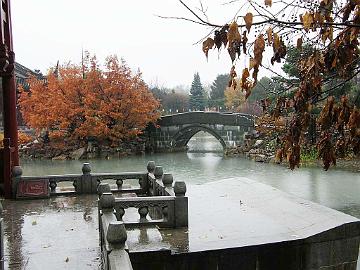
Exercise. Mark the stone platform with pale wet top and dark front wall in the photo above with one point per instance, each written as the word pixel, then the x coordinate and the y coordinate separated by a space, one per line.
pixel 242 224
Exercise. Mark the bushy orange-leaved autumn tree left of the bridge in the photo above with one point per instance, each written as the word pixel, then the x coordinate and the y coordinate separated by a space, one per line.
pixel 79 102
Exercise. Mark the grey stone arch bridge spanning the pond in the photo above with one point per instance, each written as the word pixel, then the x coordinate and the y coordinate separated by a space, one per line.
pixel 173 132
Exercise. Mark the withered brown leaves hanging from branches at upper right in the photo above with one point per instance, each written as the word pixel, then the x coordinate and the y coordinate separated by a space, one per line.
pixel 332 30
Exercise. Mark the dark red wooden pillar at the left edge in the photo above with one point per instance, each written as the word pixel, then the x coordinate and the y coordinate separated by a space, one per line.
pixel 7 64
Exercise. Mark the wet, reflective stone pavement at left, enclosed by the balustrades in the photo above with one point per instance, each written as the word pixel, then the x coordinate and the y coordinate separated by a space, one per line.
pixel 55 233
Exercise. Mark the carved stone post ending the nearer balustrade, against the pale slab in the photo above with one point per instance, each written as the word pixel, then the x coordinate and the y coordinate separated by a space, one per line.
pixel 181 205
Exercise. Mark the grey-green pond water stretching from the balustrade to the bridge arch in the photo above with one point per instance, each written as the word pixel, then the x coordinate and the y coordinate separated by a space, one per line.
pixel 336 188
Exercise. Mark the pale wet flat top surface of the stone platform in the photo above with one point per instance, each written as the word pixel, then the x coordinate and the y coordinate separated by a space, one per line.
pixel 240 212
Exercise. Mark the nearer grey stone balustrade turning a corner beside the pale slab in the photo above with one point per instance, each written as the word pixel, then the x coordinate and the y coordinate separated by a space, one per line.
pixel 166 207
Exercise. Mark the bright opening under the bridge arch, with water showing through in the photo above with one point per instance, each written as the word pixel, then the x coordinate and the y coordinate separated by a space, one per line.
pixel 204 142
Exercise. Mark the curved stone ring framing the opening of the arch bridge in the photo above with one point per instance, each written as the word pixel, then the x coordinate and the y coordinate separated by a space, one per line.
pixel 183 137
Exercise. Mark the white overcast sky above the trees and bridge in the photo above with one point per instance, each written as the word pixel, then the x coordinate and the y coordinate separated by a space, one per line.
pixel 47 30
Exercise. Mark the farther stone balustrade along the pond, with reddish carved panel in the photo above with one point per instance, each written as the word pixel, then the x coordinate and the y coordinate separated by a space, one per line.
pixel 154 182
